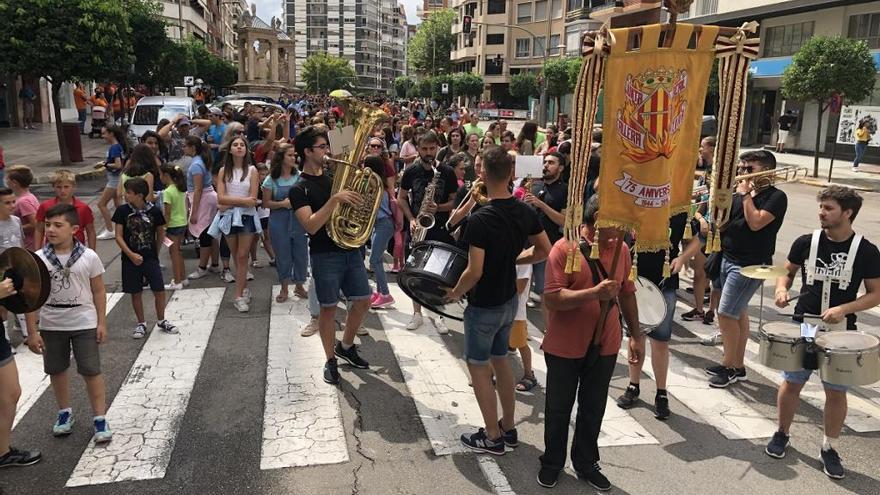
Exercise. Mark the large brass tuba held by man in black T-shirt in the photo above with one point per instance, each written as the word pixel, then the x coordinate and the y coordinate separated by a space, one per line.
pixel 350 226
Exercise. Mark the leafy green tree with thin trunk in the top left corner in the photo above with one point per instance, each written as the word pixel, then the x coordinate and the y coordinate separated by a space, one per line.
pixel 63 40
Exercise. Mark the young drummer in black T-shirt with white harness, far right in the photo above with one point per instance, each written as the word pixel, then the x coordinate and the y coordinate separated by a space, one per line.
pixel 833 263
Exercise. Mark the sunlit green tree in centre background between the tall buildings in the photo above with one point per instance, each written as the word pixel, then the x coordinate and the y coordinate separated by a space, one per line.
pixel 429 50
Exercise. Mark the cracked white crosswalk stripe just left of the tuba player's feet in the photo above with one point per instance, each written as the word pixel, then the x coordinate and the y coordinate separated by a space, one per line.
pixel 302 421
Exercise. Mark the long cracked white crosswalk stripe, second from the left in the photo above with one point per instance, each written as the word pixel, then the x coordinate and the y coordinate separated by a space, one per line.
pixel 147 412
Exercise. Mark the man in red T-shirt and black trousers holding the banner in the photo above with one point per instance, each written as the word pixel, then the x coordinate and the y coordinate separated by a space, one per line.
pixel 574 366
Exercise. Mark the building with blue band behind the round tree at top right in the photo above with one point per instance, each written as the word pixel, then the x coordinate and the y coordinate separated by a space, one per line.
pixel 784 27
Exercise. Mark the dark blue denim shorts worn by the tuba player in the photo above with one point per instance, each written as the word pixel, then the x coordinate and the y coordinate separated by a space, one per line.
pixel 340 270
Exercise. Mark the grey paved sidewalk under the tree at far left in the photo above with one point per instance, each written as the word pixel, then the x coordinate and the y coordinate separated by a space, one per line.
pixel 38 149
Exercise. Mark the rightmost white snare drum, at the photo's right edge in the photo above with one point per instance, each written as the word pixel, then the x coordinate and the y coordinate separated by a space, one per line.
pixel 849 358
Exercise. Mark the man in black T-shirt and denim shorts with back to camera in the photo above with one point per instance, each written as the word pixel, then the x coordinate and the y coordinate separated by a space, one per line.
pixel 496 235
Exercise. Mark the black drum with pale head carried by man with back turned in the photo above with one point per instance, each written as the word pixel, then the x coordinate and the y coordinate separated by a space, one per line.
pixel 430 268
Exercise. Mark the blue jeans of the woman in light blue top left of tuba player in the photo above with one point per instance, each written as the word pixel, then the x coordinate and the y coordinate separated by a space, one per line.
pixel 291 246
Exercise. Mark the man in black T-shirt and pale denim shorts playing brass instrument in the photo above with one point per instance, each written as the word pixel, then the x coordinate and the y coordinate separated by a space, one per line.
pixel 749 238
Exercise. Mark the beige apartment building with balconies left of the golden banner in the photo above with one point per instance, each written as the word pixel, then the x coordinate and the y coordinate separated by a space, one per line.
pixel 506 38
